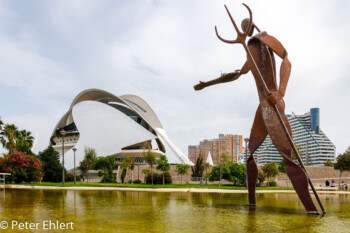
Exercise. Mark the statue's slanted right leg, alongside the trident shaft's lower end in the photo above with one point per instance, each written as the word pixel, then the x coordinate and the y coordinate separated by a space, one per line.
pixel 295 173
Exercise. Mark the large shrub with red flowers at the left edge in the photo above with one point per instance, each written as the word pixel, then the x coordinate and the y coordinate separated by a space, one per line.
pixel 23 167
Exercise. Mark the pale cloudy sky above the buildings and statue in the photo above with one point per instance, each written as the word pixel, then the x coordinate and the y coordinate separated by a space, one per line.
pixel 52 50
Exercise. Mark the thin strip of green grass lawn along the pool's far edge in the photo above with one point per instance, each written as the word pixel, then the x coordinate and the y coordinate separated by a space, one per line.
pixel 210 186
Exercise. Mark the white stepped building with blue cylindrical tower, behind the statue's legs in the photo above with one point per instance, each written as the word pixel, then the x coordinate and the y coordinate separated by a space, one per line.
pixel 314 146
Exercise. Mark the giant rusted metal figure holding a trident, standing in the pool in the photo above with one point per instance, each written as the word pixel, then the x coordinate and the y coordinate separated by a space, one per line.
pixel 269 118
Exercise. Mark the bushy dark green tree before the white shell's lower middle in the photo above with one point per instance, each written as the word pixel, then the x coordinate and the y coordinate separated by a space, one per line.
pixel 106 164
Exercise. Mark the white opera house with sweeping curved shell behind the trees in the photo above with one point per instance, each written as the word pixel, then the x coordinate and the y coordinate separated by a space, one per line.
pixel 121 126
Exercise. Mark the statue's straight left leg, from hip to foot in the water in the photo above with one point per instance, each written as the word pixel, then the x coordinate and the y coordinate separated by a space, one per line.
pixel 257 136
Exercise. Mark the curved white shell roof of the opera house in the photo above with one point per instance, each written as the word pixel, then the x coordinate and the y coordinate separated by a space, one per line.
pixel 107 129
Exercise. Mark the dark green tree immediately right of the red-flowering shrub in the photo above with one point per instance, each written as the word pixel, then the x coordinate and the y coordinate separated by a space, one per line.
pixel 52 167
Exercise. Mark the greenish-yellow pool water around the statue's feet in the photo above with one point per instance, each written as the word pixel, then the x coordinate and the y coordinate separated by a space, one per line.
pixel 120 211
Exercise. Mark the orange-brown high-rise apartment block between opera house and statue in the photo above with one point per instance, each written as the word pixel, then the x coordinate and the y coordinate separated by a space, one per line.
pixel 228 144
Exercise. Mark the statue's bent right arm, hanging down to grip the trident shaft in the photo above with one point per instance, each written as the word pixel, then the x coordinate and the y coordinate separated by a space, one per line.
pixel 278 48
